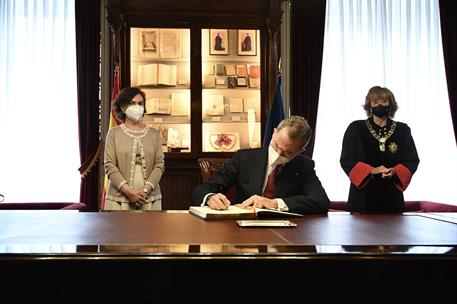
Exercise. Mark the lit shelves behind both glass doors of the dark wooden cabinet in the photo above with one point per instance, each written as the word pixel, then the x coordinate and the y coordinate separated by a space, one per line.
pixel 231 80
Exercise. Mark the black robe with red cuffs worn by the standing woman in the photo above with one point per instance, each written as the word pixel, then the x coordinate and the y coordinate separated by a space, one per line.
pixel 360 154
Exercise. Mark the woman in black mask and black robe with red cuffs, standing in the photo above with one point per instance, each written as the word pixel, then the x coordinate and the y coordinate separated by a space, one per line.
pixel 379 156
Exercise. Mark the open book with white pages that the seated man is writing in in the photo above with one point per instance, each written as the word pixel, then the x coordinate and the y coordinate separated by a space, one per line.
pixel 237 213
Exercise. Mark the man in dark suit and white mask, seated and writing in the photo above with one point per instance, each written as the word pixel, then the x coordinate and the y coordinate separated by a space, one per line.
pixel 278 177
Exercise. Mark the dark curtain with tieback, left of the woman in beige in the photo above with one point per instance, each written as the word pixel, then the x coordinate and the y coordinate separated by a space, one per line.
pixel 87 15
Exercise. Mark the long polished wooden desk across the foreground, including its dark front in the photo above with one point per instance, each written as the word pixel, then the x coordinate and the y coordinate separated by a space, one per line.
pixel 174 257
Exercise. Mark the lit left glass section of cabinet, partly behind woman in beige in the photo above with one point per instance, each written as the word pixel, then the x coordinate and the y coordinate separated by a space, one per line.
pixel 160 66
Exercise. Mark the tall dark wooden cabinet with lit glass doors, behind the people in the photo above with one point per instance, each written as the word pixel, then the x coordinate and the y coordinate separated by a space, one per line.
pixel 208 69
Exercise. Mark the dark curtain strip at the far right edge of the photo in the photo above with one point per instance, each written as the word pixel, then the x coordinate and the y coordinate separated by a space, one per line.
pixel 448 14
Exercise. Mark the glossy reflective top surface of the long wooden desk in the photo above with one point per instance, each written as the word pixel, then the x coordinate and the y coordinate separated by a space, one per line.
pixel 168 232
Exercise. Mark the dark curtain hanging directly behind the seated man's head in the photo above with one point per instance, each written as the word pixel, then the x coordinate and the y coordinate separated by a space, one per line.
pixel 307 43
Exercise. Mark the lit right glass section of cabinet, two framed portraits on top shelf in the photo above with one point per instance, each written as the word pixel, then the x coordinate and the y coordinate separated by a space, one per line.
pixel 231 96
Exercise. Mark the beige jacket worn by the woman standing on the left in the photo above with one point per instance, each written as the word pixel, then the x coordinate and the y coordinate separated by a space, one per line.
pixel 120 156
